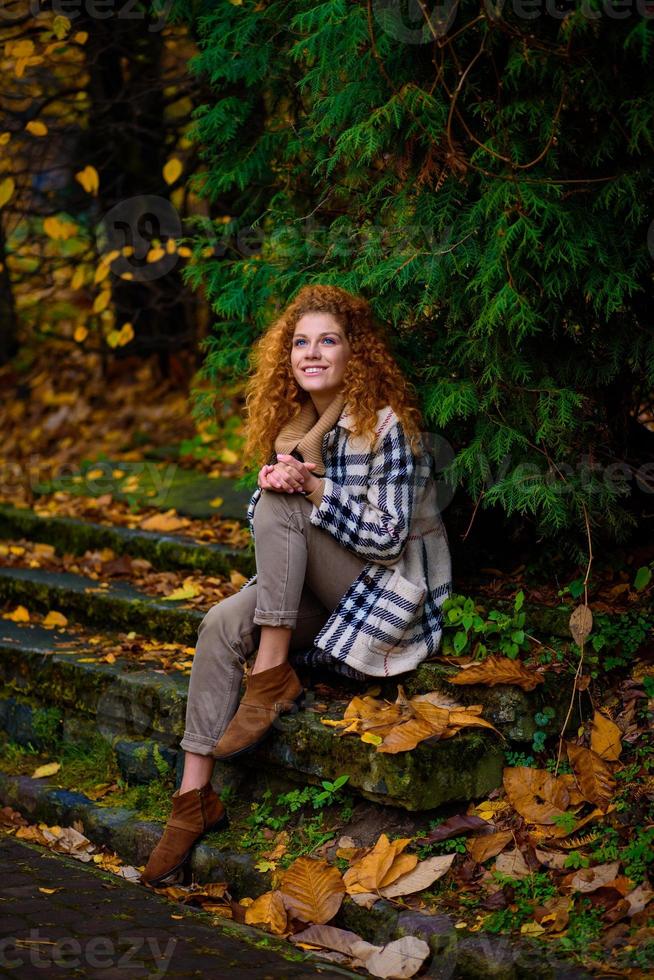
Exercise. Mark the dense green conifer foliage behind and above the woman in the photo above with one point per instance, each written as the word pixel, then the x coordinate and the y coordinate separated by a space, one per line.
pixel 483 174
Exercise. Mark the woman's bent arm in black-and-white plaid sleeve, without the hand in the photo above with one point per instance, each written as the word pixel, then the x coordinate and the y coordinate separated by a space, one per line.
pixel 376 527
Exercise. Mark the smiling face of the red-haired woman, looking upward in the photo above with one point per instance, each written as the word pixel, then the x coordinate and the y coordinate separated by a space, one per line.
pixel 319 343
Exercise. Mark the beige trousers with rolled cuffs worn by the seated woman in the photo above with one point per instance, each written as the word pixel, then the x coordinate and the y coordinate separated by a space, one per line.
pixel 302 574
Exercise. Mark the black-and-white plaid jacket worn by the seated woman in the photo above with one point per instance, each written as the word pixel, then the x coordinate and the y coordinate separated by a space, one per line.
pixel 382 505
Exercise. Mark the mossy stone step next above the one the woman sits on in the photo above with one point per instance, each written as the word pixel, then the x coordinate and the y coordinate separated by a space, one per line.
pixel 83 599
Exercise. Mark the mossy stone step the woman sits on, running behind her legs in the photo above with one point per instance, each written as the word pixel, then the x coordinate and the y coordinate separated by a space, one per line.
pixel 142 706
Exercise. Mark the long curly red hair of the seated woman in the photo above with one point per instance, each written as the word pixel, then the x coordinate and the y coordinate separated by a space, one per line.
pixel 371 381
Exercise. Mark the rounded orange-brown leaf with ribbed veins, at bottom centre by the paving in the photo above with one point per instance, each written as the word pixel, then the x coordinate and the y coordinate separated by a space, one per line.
pixel 312 890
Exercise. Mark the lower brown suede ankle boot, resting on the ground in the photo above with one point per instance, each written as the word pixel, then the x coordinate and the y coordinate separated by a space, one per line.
pixel 193 813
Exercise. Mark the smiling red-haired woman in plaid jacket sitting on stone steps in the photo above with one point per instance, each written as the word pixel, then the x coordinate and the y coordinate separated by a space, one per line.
pixel 351 553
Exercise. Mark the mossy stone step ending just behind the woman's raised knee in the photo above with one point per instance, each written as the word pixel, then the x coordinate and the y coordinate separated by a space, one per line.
pixel 166 551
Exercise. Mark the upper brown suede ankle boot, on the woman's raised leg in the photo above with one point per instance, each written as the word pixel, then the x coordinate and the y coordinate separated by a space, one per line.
pixel 268 694
